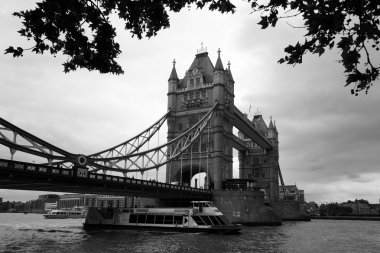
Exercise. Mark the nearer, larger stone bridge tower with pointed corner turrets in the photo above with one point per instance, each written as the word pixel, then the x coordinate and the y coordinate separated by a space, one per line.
pixel 189 99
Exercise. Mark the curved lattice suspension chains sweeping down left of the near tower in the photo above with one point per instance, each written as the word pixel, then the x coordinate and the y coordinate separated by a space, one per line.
pixel 124 157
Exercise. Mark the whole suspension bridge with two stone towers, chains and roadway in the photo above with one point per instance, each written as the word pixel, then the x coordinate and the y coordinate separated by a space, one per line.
pixel 200 119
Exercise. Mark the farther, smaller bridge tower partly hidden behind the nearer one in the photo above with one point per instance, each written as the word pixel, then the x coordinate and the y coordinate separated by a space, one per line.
pixel 262 165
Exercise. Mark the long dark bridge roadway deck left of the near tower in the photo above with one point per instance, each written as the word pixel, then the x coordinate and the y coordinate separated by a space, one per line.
pixel 28 176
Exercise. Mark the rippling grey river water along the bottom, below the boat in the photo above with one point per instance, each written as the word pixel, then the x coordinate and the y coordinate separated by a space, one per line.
pixel 33 233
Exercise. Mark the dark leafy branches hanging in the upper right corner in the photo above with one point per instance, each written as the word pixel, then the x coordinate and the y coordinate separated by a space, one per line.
pixel 352 26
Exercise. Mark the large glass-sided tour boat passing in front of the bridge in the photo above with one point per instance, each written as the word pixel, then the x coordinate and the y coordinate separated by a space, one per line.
pixel 203 216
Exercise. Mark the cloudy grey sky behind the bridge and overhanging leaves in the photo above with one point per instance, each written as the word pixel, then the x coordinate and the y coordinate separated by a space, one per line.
pixel 329 140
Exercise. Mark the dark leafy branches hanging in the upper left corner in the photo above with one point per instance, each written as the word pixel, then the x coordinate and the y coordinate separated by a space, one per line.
pixel 81 29
